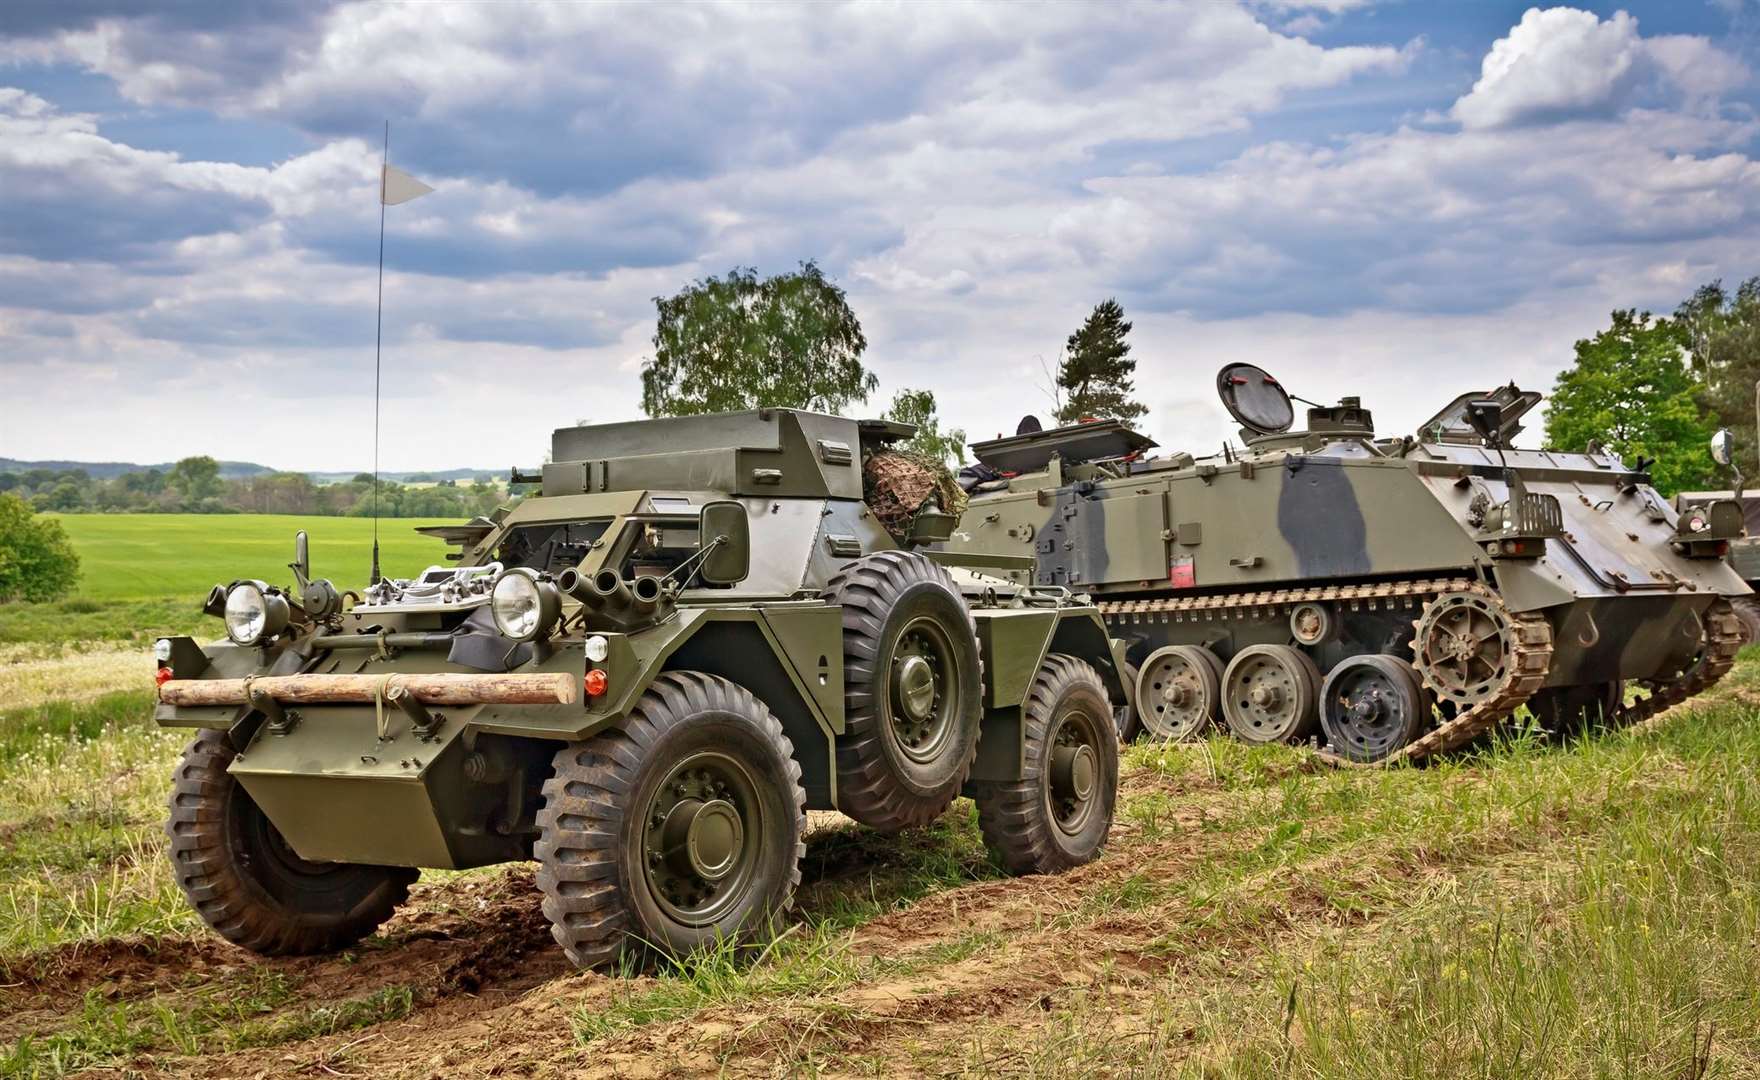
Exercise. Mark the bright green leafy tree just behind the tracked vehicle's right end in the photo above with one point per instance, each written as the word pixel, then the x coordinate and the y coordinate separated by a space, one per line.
pixel 1634 393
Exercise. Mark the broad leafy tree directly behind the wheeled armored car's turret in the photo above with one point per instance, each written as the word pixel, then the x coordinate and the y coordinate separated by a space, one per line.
pixel 742 342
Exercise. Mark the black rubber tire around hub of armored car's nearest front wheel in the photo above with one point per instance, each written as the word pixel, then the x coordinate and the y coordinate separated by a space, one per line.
pixel 589 845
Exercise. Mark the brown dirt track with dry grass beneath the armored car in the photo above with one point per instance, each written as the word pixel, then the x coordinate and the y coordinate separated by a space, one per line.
pixel 985 977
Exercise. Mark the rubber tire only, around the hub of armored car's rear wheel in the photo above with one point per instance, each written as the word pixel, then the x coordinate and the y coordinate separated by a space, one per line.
pixel 1016 817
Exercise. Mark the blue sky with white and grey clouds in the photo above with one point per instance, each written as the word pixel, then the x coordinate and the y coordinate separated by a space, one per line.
pixel 1397 200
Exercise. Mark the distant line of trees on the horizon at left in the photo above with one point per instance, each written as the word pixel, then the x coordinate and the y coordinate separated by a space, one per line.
pixel 196 486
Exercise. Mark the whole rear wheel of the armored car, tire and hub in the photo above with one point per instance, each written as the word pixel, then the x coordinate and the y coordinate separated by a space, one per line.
pixel 1059 814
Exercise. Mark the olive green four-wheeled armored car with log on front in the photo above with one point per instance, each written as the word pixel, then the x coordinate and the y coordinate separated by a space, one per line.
pixel 642 678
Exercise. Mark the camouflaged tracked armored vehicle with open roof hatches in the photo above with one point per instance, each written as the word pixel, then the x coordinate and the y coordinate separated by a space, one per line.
pixel 1388 597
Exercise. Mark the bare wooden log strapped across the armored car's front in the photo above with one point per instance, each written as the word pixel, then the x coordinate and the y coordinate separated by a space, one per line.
pixel 446 689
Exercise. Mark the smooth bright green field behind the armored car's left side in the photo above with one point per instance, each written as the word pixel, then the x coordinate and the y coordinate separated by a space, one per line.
pixel 147 574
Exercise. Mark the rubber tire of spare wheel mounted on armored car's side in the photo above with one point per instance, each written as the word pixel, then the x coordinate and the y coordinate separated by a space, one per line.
pixel 879 595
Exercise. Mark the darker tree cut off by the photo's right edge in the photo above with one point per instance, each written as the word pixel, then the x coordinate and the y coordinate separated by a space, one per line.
pixel 1722 335
